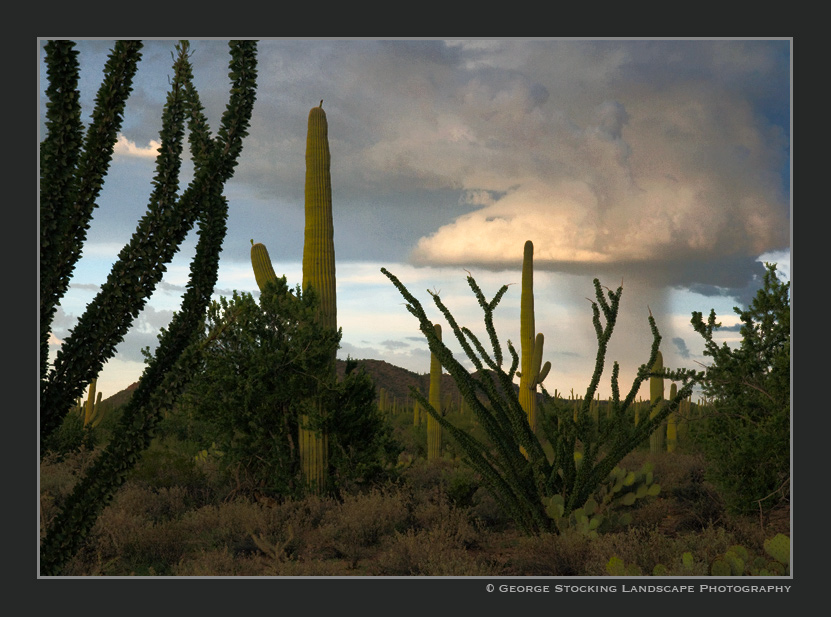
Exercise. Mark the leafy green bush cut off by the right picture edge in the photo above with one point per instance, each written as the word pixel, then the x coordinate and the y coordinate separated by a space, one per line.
pixel 746 435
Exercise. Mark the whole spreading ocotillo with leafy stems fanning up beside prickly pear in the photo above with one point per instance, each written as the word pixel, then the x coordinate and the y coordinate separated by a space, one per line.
pixel 512 461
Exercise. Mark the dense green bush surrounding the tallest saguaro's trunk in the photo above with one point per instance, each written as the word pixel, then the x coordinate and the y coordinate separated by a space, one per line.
pixel 254 383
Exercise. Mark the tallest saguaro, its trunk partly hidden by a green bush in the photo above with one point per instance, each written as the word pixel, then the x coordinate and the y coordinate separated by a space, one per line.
pixel 318 270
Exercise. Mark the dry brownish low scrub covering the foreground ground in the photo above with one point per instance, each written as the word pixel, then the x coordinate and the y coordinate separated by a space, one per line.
pixel 181 518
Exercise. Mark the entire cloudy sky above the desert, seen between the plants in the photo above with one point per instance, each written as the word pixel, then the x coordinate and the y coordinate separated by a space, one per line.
pixel 660 165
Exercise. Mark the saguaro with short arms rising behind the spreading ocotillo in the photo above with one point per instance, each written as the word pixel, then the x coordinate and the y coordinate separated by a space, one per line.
pixel 532 372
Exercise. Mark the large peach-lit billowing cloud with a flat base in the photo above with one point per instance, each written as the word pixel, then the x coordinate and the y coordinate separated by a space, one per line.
pixel 666 178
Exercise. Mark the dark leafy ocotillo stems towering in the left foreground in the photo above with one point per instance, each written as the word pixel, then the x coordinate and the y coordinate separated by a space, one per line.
pixel 72 171
